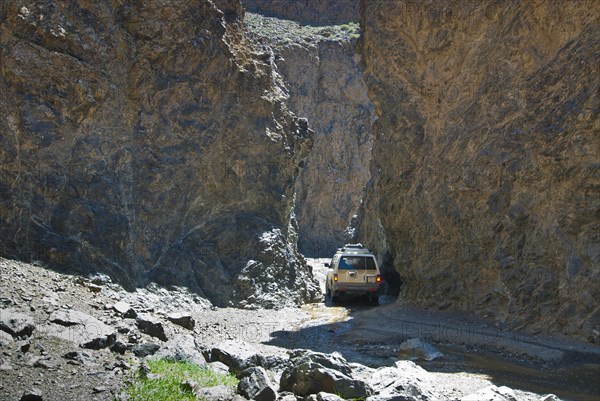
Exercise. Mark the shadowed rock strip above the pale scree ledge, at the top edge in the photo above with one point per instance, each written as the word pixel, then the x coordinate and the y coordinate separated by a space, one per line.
pixel 314 12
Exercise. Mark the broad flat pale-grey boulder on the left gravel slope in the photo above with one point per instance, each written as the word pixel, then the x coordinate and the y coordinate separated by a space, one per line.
pixel 81 328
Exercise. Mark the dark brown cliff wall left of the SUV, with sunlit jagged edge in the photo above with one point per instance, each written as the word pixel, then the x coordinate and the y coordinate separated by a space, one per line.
pixel 149 141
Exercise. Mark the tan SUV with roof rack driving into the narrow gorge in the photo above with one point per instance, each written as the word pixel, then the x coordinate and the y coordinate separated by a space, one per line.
pixel 353 270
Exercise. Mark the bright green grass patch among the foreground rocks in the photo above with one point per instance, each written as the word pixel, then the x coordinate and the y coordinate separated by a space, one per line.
pixel 165 381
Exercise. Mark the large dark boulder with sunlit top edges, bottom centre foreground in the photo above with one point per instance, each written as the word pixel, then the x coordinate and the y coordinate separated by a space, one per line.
pixel 311 372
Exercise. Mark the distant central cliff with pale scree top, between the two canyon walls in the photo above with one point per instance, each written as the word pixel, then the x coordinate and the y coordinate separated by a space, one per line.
pixel 319 67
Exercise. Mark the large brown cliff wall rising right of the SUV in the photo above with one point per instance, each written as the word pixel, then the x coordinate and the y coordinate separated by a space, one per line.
pixel 486 176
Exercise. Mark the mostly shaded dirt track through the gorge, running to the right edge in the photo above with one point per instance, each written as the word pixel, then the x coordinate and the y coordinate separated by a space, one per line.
pixel 472 347
